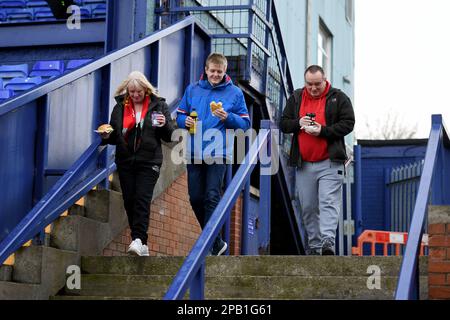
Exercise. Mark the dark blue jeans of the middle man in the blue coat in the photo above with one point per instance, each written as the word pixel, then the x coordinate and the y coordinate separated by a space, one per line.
pixel 205 190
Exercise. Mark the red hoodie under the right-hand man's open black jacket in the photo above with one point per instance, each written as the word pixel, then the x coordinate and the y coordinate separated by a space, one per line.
pixel 313 149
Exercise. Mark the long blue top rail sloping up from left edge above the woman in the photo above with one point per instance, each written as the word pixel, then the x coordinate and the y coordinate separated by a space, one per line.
pixel 19 101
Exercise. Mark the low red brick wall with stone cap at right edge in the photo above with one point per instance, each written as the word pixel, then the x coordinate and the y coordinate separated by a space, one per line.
pixel 439 256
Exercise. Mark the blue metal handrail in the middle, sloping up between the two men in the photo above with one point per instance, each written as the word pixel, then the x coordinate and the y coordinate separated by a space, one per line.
pixel 193 268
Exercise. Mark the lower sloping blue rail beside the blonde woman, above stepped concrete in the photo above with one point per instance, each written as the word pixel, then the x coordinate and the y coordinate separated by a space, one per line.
pixel 74 184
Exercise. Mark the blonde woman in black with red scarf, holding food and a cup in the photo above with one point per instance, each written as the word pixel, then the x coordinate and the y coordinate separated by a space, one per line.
pixel 140 120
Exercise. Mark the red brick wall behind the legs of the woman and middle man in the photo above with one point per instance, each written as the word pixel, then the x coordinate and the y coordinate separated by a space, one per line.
pixel 173 228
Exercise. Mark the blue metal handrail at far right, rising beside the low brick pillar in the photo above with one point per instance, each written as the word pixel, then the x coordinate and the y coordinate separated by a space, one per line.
pixel 408 283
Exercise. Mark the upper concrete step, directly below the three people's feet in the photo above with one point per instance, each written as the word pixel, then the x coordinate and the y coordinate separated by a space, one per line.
pixel 249 265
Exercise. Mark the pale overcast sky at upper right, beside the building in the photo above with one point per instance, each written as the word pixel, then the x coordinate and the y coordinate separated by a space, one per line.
pixel 402 62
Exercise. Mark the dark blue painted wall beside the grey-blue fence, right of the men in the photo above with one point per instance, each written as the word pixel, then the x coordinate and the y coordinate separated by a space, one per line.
pixel 375 159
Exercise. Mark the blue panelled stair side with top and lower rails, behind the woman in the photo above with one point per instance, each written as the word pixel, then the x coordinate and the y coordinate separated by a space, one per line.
pixel 53 157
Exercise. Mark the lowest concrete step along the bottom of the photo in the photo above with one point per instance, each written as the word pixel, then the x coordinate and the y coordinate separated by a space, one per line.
pixel 239 287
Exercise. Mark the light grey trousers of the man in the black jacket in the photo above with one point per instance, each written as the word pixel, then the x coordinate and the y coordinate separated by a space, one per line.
pixel 319 190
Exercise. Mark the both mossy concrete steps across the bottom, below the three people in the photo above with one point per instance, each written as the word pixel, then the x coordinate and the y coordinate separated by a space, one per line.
pixel 241 277
